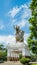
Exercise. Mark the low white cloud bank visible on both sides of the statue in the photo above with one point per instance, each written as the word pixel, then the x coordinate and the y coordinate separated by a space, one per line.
pixel 11 39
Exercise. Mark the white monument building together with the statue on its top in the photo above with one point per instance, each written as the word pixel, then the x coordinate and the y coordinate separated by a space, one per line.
pixel 17 46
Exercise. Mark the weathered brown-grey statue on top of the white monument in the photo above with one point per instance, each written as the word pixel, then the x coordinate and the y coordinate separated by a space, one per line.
pixel 19 34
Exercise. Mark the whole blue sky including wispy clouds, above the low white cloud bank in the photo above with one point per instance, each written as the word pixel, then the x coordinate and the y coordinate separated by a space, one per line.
pixel 14 12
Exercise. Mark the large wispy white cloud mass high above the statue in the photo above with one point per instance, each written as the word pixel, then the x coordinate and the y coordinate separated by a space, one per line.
pixel 19 15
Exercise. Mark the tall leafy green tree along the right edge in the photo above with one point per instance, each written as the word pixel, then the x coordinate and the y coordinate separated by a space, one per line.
pixel 32 40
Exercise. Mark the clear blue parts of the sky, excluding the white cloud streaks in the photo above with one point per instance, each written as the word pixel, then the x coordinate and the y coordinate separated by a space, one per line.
pixel 5 19
